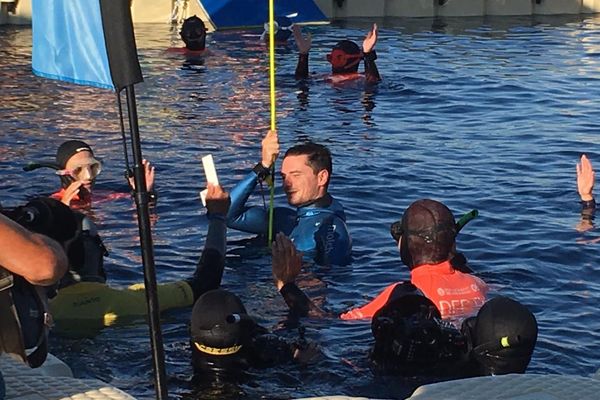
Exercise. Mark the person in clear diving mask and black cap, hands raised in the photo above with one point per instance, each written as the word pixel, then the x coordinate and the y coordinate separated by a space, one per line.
pixel 78 169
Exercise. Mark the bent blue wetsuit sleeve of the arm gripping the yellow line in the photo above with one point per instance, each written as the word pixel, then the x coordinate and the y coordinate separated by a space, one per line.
pixel 242 218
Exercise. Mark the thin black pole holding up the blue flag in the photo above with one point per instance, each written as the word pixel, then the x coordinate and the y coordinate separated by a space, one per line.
pixel 141 202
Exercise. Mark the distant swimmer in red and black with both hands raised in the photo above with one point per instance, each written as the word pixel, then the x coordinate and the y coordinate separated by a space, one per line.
pixel 344 58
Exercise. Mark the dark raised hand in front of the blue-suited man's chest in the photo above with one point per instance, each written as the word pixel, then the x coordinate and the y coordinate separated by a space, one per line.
pixel 287 261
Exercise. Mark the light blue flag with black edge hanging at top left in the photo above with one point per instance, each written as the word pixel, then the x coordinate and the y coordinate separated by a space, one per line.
pixel 88 42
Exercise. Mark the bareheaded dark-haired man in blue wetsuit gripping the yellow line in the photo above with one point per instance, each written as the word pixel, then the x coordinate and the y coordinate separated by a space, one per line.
pixel 318 225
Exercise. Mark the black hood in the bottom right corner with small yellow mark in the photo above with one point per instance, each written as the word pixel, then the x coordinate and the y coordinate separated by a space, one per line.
pixel 504 337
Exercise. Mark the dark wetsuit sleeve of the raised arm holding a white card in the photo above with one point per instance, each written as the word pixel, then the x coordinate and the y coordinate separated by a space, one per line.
pixel 209 271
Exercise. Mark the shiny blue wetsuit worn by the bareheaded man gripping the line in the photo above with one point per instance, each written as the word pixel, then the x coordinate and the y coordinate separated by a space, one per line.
pixel 317 229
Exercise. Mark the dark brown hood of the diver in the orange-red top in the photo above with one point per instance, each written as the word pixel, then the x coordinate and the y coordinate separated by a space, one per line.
pixel 428 233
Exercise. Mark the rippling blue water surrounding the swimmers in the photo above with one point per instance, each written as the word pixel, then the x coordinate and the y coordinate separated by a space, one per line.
pixel 478 113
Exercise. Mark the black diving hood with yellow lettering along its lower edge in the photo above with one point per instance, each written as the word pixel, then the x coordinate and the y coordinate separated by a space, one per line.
pixel 211 330
